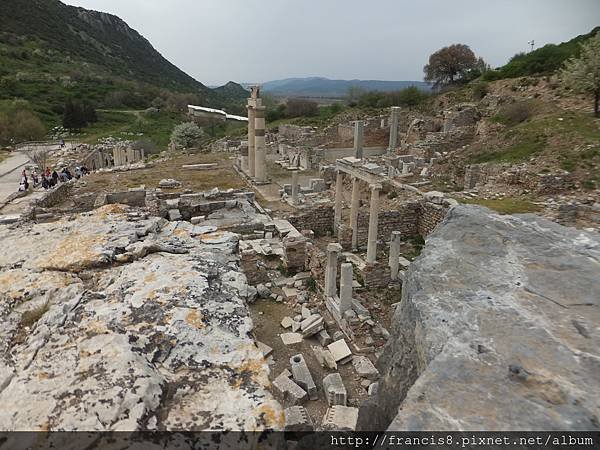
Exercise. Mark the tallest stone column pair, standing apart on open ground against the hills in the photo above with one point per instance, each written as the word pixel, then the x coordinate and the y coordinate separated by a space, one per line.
pixel 257 164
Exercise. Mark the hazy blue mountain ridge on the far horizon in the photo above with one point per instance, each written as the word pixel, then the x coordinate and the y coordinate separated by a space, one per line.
pixel 324 87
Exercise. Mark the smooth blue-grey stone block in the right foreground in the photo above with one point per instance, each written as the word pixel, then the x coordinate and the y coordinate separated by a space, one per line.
pixel 497 330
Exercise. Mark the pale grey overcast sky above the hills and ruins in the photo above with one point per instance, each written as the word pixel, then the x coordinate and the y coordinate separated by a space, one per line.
pixel 260 40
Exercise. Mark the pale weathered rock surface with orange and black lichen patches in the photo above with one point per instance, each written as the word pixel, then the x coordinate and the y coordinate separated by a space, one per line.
pixel 109 321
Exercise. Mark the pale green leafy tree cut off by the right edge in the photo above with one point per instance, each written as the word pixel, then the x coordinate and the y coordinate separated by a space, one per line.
pixel 582 74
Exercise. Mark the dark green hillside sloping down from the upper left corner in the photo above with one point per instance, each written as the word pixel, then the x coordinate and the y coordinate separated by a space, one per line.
pixel 50 51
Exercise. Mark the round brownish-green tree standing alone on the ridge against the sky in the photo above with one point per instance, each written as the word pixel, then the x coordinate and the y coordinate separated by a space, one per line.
pixel 450 64
